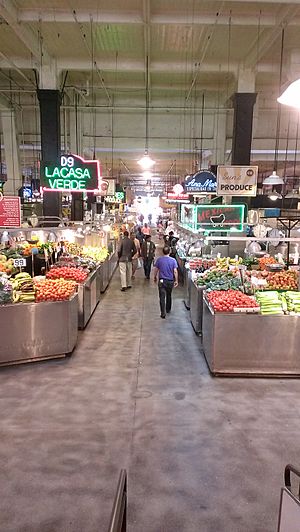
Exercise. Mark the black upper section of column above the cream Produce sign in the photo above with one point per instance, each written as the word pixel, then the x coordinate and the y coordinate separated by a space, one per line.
pixel 242 127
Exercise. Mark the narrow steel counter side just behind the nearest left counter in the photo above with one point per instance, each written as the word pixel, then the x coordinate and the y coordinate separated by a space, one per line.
pixel 87 299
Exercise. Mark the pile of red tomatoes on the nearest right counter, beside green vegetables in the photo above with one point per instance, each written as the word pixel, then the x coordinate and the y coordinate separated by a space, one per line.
pixel 231 301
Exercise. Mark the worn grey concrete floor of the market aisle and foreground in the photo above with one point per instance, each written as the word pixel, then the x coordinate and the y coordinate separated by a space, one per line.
pixel 203 454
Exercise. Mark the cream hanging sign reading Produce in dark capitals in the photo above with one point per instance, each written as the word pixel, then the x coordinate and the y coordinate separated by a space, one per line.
pixel 237 180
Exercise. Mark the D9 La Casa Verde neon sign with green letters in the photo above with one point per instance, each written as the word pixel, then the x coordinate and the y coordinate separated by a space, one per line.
pixel 73 174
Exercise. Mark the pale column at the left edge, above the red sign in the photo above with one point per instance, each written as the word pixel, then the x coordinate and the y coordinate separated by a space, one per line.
pixel 11 151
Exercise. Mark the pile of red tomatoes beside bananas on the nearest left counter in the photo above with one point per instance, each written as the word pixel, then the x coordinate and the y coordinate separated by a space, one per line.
pixel 54 290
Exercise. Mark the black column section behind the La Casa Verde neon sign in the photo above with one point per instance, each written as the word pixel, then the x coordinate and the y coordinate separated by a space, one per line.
pixel 50 101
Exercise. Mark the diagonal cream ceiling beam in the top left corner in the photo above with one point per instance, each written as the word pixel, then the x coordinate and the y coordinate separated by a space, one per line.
pixel 9 12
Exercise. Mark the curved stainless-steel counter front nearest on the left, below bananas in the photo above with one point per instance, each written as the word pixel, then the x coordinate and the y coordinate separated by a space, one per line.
pixel 38 331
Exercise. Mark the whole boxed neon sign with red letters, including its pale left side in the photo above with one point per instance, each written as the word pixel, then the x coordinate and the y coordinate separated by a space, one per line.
pixel 213 217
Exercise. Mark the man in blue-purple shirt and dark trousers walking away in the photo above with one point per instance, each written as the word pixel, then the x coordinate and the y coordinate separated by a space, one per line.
pixel 166 269
